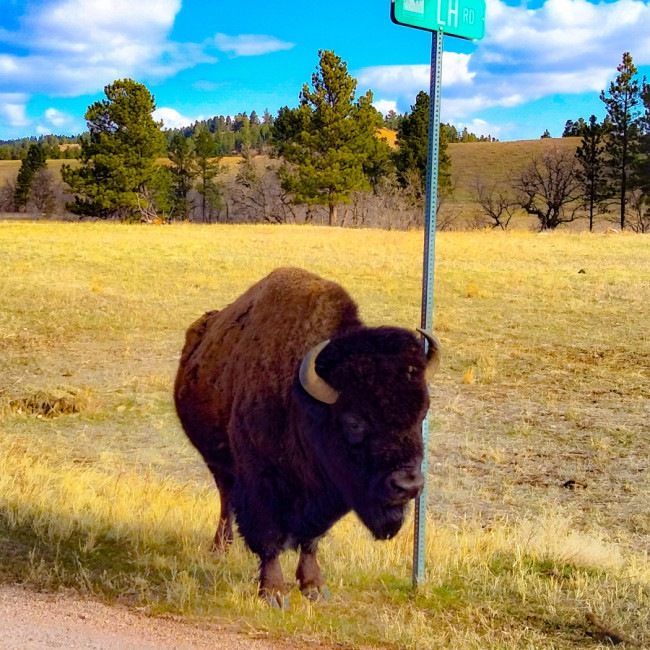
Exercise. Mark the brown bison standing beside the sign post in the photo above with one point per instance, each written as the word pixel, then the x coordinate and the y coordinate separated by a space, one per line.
pixel 302 414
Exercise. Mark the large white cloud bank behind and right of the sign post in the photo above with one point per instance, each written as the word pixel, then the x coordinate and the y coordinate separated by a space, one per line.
pixel 562 47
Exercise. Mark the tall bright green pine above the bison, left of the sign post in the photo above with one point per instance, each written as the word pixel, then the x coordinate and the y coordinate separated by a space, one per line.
pixel 329 140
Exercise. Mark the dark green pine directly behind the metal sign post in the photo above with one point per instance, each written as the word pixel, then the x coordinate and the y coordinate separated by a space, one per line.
pixel 413 148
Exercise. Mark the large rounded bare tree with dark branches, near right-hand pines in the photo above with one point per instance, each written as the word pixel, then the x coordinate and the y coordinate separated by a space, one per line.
pixel 548 188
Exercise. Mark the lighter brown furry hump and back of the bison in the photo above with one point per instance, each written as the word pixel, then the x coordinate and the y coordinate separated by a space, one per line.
pixel 251 349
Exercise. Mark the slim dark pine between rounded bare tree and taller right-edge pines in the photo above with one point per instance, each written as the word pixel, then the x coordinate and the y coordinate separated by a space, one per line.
pixel 592 166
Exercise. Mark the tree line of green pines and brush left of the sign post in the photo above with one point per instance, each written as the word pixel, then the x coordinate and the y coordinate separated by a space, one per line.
pixel 326 162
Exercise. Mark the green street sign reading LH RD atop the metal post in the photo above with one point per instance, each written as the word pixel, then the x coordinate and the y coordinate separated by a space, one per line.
pixel 462 18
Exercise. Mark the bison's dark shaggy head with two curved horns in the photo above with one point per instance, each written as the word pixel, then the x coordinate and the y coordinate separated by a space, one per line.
pixel 371 396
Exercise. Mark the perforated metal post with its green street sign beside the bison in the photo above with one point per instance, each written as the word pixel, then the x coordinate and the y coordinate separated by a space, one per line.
pixel 465 19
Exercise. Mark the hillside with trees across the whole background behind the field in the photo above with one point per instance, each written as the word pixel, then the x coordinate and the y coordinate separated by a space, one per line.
pixel 335 160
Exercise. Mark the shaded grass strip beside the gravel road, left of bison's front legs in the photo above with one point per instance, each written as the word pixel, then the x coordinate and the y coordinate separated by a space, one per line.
pixel 165 574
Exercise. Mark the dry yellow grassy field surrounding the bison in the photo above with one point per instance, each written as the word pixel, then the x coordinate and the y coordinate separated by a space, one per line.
pixel 539 479
